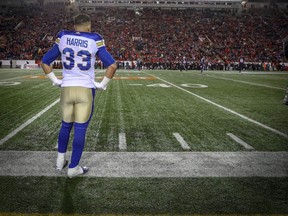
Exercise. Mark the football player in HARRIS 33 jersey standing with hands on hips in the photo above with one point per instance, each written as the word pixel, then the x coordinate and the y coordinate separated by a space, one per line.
pixel 78 50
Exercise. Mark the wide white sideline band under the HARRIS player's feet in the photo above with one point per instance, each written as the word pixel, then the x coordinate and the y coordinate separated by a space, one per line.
pixel 150 164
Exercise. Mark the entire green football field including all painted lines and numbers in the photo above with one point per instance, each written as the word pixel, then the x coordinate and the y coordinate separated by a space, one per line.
pixel 159 143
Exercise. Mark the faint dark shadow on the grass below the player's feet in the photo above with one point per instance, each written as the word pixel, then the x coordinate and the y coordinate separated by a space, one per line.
pixel 68 195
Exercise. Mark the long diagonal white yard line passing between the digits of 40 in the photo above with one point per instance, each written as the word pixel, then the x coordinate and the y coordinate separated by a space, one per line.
pixel 226 109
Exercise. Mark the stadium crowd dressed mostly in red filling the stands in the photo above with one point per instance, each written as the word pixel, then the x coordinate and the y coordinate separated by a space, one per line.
pixel 158 38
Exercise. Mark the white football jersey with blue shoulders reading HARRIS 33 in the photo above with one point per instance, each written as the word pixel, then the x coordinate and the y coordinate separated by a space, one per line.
pixel 78 54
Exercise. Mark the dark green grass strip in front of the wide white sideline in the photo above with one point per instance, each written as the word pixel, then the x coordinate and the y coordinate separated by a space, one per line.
pixel 144 195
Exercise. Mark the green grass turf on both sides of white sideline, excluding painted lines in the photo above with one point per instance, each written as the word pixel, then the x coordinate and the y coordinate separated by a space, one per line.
pixel 149 111
